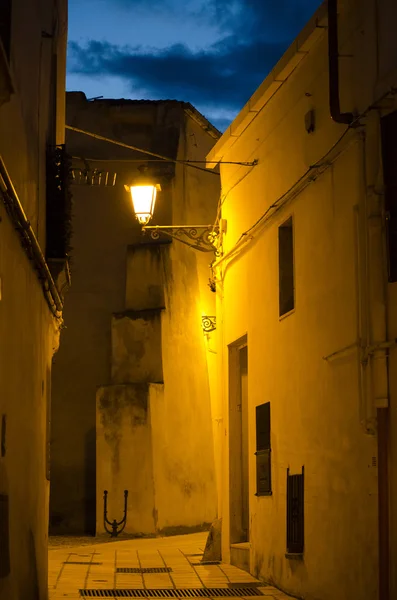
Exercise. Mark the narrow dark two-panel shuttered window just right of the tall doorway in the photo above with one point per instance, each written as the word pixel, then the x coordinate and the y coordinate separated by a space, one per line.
pixel 263 462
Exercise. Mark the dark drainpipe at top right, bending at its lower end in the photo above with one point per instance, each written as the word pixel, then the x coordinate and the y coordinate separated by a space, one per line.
pixel 333 66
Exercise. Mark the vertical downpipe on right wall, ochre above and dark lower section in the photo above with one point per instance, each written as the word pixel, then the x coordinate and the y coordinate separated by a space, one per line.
pixel 375 347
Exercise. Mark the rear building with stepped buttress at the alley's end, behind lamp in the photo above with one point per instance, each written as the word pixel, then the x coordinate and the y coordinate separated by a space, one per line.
pixel 131 393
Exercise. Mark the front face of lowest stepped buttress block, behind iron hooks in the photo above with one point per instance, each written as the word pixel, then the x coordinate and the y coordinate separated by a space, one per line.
pixel 124 449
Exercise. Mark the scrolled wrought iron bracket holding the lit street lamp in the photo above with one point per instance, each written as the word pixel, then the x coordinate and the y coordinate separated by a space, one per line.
pixel 200 237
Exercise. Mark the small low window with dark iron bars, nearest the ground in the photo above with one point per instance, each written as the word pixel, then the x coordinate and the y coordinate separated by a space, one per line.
pixel 295 513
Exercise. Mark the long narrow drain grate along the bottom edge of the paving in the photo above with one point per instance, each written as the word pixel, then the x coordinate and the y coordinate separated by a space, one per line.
pixel 172 593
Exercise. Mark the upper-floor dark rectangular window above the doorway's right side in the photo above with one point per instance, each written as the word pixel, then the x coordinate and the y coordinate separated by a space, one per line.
pixel 286 267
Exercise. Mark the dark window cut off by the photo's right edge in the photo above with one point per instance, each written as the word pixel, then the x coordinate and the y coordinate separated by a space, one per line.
pixel 389 154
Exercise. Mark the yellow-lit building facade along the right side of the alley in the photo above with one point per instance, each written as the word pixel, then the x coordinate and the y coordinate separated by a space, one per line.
pixel 306 313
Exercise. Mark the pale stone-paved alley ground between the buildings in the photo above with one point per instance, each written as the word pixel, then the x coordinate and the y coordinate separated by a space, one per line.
pixel 95 567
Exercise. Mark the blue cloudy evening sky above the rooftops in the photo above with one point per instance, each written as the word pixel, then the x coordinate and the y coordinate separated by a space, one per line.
pixel 211 53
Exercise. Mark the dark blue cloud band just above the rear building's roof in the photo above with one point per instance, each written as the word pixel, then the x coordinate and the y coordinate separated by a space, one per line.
pixel 224 76
